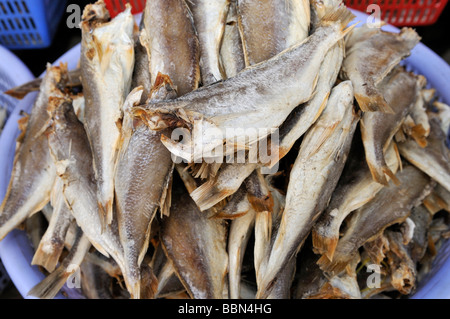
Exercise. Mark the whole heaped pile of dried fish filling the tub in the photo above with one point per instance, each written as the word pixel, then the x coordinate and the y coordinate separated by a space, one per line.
pixel 103 187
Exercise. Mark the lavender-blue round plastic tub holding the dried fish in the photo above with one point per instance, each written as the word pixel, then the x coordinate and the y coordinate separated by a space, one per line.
pixel 16 252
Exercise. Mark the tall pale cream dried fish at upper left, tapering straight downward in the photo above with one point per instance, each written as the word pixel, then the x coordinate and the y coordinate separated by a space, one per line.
pixel 107 64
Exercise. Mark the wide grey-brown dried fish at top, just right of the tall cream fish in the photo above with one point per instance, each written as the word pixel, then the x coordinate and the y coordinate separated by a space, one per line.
pixel 172 45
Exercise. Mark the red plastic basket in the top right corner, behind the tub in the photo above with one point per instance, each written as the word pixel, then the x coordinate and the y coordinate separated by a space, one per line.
pixel 403 12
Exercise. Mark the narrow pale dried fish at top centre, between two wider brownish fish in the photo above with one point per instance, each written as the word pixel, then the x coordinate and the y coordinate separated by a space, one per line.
pixel 210 19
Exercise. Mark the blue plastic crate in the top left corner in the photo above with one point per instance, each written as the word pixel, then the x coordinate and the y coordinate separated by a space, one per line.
pixel 29 24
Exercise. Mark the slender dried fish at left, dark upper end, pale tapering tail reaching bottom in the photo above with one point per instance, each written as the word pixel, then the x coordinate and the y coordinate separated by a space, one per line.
pixel 70 149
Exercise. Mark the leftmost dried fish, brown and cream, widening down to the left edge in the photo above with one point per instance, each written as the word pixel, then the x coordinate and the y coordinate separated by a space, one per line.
pixel 33 173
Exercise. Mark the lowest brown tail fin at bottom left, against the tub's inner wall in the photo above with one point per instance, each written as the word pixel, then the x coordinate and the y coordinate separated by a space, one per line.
pixel 52 284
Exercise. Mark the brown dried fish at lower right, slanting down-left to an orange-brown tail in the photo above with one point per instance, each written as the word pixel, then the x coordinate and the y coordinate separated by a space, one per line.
pixel 392 205
